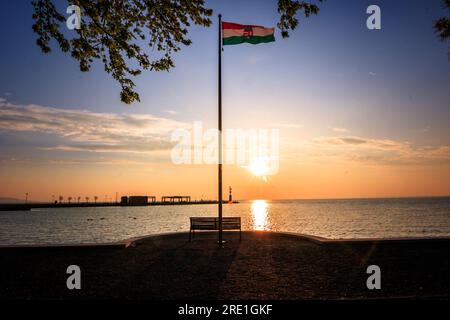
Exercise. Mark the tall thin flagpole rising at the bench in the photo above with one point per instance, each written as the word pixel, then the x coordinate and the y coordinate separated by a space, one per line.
pixel 220 132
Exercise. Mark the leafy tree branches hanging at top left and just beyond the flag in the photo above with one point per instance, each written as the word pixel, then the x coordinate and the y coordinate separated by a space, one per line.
pixel 122 33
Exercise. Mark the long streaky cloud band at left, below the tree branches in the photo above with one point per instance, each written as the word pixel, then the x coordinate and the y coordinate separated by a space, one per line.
pixel 88 131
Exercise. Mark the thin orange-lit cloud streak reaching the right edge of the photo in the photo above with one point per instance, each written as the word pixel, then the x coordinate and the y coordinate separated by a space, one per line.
pixel 382 151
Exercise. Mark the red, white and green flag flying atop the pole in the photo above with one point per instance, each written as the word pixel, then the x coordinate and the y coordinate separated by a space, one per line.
pixel 234 33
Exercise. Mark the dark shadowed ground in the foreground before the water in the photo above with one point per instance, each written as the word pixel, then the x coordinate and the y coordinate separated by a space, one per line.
pixel 263 265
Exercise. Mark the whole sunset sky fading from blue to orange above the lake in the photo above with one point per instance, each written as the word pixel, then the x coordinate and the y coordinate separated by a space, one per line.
pixel 360 113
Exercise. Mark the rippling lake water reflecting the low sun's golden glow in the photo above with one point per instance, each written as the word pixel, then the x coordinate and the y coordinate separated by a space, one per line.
pixel 335 219
